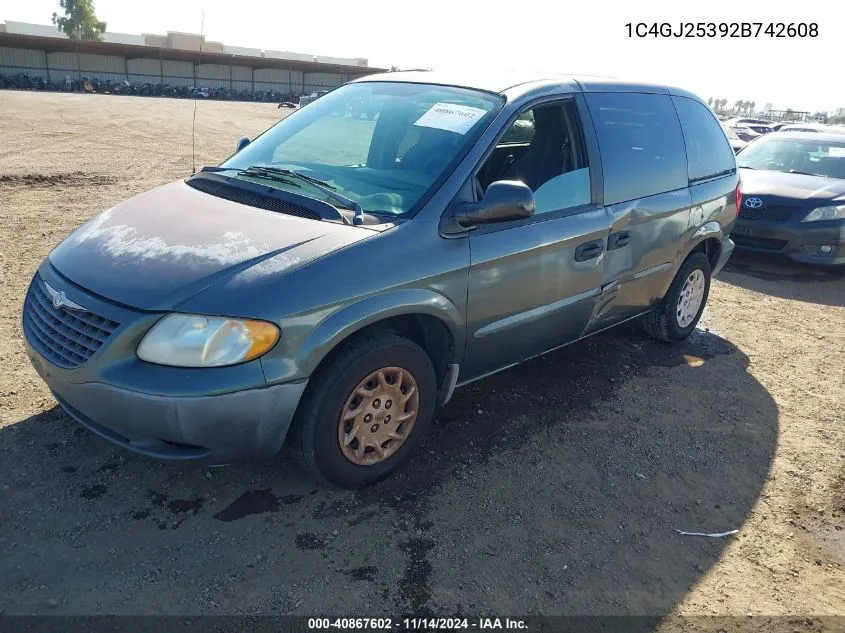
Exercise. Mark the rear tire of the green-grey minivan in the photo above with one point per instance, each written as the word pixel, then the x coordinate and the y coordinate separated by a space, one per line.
pixel 664 322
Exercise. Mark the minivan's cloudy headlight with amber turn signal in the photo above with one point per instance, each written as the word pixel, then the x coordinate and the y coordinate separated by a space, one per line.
pixel 189 340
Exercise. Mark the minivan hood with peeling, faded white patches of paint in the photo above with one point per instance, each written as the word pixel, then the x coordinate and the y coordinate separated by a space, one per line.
pixel 164 246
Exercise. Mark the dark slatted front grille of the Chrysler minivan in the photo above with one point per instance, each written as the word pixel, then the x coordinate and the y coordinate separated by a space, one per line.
pixel 67 338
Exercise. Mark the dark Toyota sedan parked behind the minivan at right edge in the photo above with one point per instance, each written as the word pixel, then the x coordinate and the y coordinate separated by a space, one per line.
pixel 793 197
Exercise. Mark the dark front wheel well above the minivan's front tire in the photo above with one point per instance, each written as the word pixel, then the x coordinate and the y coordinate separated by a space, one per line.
pixel 427 331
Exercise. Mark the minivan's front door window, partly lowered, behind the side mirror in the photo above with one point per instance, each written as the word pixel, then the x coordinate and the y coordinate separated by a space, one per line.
pixel 544 148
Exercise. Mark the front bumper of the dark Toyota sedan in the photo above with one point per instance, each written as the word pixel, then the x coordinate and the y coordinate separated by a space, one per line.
pixel 800 241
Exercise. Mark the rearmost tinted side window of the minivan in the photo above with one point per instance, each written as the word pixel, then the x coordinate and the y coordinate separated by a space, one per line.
pixel 708 152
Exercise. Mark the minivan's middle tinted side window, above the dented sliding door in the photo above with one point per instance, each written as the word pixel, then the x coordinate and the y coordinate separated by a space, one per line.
pixel 642 148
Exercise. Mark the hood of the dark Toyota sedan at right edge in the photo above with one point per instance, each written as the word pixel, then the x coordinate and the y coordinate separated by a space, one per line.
pixel 814 189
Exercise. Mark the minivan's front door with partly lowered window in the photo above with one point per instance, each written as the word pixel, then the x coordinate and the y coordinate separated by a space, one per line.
pixel 533 283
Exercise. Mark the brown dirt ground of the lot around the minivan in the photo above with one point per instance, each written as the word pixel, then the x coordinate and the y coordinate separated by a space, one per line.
pixel 553 488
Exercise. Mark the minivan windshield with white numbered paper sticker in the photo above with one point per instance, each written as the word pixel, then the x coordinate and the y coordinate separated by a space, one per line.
pixel 382 145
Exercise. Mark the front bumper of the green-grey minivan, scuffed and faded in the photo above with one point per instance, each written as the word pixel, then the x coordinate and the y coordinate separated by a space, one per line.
pixel 214 416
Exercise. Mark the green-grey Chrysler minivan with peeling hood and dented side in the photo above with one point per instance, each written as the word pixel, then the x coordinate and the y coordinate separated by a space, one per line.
pixel 332 294
